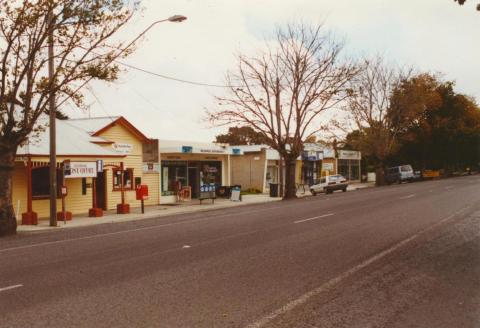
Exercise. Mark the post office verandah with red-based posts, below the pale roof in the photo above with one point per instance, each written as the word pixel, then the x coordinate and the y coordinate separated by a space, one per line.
pixel 81 189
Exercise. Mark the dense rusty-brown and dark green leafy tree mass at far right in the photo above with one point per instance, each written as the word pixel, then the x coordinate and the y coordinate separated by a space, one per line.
pixel 445 133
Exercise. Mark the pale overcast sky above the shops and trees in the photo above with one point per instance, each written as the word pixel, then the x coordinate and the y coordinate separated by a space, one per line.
pixel 432 35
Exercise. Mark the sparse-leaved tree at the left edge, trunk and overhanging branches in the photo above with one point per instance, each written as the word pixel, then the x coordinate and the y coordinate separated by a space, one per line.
pixel 82 30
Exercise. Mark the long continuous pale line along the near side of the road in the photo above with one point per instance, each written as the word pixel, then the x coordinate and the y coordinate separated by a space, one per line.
pixel 332 282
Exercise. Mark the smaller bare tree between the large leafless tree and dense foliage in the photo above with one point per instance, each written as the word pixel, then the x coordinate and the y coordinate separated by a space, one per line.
pixel 369 110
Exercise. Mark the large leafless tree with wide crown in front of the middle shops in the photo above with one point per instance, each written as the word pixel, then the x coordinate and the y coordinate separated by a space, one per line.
pixel 282 92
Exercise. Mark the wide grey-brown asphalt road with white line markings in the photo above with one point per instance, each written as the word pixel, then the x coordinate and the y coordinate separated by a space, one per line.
pixel 400 256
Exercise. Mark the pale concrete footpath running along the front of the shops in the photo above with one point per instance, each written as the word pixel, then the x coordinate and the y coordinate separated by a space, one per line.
pixel 163 210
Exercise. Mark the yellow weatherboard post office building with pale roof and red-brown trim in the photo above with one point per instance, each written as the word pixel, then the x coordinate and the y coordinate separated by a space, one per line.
pixel 102 159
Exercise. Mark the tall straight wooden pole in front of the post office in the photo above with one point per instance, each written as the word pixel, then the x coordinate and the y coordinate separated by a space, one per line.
pixel 52 118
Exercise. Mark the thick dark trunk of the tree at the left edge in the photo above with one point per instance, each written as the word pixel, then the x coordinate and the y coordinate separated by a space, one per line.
pixel 8 222
